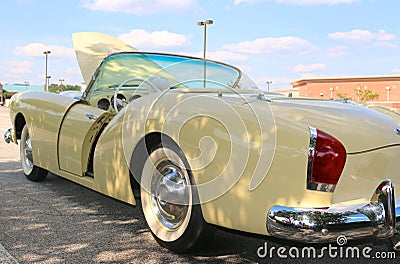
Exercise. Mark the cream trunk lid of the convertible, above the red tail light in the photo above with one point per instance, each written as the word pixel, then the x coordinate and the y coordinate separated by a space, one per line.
pixel 358 128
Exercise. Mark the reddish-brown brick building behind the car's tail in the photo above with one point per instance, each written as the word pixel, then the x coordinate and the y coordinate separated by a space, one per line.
pixel 387 87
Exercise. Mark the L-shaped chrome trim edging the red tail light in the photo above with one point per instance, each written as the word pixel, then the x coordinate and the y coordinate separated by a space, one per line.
pixel 315 186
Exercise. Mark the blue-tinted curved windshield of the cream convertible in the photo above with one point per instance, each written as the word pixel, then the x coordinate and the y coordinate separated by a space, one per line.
pixel 171 70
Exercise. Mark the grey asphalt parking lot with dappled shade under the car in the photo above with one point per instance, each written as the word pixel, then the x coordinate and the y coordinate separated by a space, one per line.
pixel 57 221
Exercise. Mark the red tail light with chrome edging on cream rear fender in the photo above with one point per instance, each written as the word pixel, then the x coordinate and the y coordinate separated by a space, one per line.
pixel 326 160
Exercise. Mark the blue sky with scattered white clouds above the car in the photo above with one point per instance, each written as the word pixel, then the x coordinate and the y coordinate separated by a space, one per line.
pixel 271 40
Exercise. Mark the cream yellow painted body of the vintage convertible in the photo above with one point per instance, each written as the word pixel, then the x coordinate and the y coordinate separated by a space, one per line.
pixel 274 144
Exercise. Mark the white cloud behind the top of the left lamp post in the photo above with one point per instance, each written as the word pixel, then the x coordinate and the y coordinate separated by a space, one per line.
pixel 37 49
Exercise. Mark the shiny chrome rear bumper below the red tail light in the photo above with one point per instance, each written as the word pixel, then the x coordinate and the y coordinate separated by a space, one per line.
pixel 380 218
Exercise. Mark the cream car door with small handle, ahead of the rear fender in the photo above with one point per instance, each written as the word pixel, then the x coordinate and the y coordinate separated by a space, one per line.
pixel 79 132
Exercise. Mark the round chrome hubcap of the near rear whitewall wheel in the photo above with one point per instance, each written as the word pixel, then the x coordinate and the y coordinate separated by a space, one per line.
pixel 170 195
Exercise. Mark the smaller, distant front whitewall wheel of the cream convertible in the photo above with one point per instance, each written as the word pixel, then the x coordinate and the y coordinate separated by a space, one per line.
pixel 31 171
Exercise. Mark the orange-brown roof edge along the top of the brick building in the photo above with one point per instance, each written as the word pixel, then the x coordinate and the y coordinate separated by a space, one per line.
pixel 347 79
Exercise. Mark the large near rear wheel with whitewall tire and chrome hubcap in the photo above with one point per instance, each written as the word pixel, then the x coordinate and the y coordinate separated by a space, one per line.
pixel 169 201
